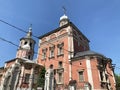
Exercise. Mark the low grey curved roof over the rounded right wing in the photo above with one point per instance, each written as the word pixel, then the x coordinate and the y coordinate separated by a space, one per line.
pixel 87 53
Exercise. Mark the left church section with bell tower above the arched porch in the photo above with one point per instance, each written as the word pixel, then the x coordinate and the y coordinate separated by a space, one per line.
pixel 21 73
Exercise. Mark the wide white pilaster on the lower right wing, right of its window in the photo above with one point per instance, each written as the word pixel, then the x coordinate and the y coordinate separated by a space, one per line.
pixel 89 72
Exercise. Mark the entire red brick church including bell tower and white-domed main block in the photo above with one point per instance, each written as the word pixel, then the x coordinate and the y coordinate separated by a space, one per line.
pixel 66 52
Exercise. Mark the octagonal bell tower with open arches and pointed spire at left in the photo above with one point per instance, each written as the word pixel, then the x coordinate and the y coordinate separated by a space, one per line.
pixel 26 46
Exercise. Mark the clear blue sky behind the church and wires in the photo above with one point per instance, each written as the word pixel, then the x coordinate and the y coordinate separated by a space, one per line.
pixel 99 20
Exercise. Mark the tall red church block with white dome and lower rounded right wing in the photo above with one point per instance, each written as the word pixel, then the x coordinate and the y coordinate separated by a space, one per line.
pixel 66 51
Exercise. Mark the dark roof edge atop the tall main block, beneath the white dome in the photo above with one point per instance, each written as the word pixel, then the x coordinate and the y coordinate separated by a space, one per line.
pixel 59 28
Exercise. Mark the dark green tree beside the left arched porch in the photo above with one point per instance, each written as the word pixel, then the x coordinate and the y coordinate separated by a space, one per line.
pixel 41 78
